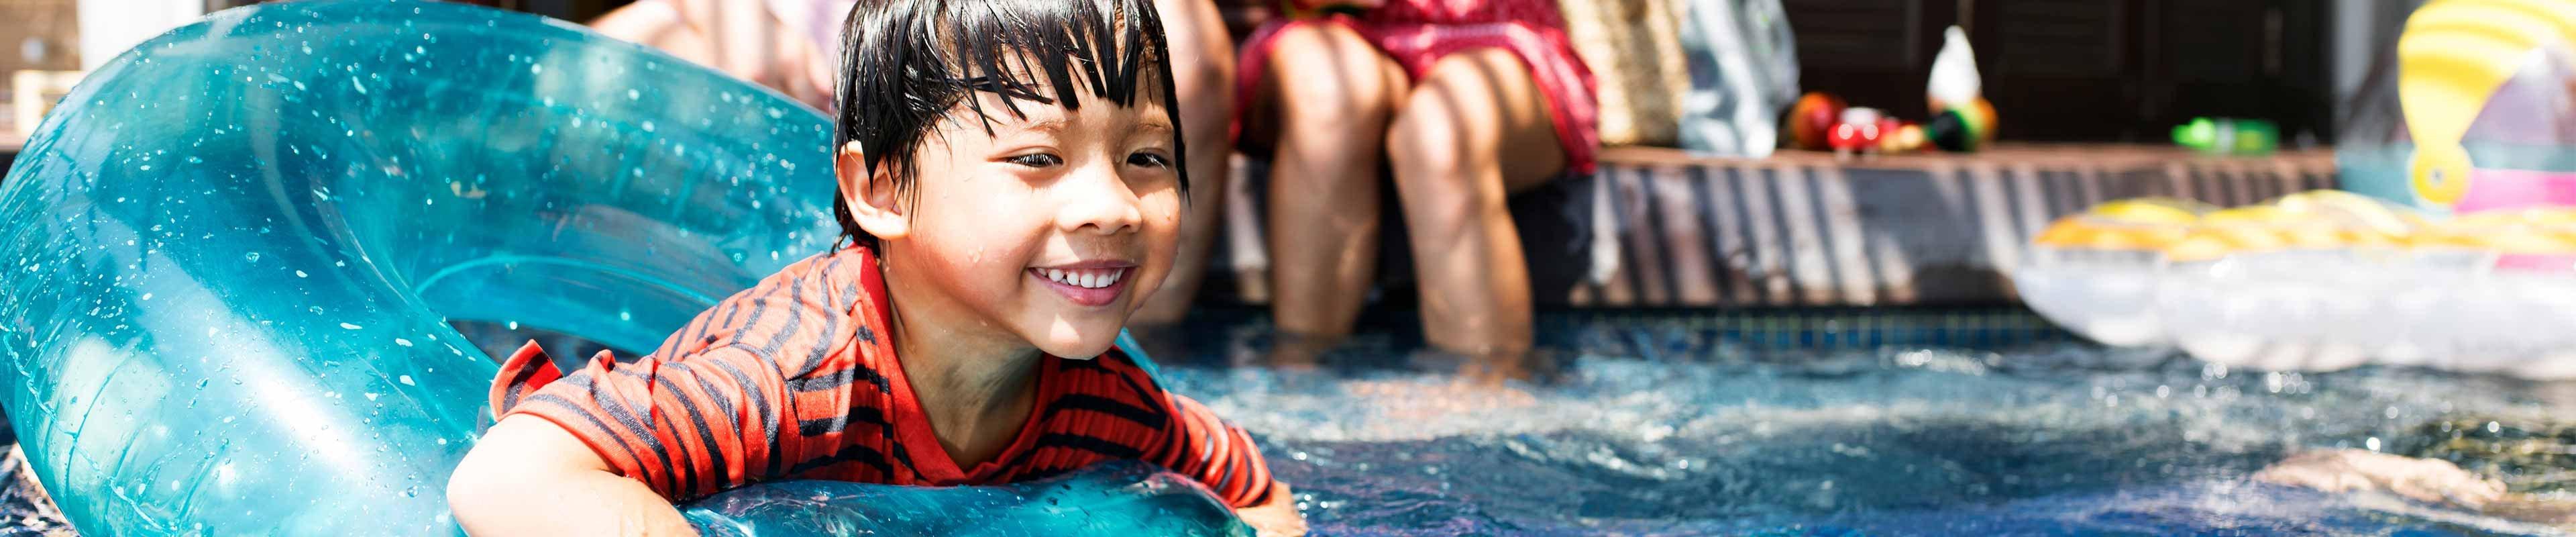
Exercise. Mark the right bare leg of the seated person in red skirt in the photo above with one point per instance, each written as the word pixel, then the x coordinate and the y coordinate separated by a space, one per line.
pixel 1472 133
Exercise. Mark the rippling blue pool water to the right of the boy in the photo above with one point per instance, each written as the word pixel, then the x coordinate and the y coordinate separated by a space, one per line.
pixel 1683 425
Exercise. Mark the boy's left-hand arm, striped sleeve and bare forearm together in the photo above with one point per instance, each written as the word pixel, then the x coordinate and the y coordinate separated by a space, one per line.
pixel 612 445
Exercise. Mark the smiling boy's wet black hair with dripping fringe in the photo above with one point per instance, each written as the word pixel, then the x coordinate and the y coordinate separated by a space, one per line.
pixel 908 63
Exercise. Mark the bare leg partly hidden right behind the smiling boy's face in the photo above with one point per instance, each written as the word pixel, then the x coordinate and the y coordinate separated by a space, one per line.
pixel 1204 79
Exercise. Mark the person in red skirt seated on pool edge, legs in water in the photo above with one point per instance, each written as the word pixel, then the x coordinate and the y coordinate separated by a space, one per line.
pixel 1467 105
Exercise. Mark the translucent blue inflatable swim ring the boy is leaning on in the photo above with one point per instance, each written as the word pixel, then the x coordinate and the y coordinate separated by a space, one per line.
pixel 233 257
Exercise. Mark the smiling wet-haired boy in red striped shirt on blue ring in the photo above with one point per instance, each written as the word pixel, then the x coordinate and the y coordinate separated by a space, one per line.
pixel 1011 187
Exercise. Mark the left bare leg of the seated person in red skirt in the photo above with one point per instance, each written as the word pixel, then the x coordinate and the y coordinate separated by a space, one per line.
pixel 1328 97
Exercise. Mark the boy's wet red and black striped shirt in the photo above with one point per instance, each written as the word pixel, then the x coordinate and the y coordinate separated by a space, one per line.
pixel 797 381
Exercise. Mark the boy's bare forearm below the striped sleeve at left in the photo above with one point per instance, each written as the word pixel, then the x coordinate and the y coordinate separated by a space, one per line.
pixel 529 476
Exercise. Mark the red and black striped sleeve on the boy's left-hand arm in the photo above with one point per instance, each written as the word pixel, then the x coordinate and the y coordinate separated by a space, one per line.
pixel 684 427
